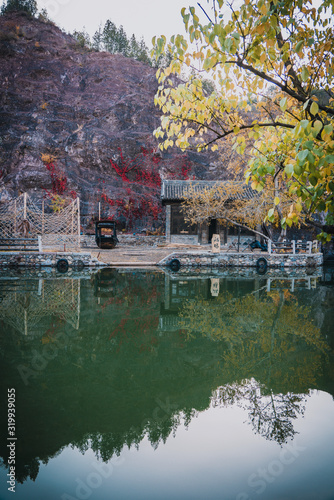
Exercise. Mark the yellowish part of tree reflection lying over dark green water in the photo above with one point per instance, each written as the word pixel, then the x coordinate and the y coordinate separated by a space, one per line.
pixel 267 334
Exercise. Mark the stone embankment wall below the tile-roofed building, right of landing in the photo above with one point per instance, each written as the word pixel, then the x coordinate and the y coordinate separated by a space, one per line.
pixel 208 259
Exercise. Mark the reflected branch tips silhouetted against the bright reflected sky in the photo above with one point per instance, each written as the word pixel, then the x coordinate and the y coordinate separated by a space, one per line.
pixel 270 414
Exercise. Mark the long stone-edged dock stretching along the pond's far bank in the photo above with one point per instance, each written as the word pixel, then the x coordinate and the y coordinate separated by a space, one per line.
pixel 162 256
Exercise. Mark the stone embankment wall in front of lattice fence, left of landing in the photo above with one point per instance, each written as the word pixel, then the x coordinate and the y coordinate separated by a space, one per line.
pixel 38 260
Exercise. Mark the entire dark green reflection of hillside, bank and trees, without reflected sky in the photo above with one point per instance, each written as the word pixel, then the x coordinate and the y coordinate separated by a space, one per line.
pixel 102 360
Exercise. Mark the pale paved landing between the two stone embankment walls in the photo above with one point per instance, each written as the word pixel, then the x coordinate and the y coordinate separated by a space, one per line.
pixel 129 255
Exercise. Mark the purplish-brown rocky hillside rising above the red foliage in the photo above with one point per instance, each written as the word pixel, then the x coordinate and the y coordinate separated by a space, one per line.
pixel 81 107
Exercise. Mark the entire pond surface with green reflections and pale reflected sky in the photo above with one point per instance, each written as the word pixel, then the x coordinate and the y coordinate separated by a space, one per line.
pixel 132 384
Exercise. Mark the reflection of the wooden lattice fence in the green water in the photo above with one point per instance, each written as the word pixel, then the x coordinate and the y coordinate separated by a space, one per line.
pixel 24 303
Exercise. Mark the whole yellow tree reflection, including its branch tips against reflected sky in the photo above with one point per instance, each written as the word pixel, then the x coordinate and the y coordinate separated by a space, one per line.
pixel 271 337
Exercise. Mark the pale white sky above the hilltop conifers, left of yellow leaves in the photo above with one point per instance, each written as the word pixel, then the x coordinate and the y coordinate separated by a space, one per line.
pixel 145 18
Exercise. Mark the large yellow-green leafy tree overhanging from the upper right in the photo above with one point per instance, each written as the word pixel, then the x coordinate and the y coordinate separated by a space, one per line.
pixel 260 46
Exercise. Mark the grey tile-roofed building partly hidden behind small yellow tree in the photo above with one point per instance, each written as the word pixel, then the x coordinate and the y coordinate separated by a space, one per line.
pixel 180 231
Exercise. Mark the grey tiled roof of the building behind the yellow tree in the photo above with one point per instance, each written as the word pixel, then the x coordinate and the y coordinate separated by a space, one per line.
pixel 174 190
